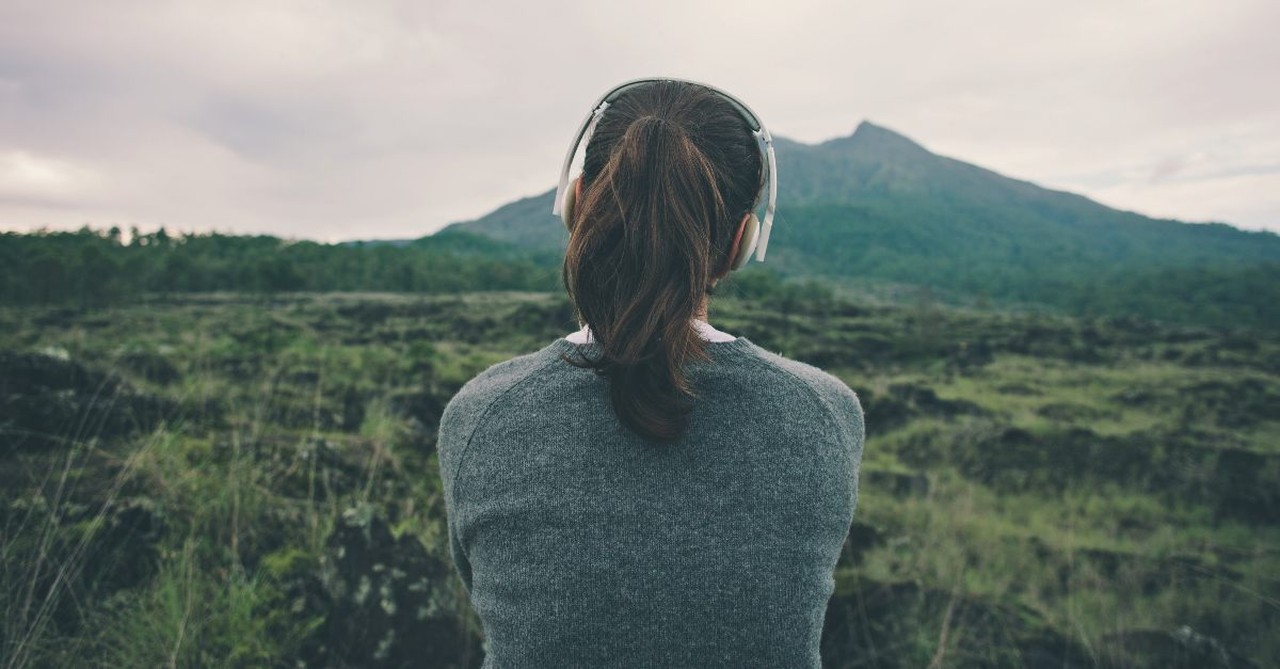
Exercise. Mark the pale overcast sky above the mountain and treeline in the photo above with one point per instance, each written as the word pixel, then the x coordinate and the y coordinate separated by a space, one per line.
pixel 336 121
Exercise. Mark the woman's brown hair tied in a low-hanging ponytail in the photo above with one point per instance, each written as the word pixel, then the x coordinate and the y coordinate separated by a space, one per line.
pixel 670 172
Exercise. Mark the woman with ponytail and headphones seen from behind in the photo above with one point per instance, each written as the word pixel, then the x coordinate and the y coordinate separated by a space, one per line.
pixel 652 492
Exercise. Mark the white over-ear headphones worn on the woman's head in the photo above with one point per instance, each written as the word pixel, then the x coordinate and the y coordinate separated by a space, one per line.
pixel 755 235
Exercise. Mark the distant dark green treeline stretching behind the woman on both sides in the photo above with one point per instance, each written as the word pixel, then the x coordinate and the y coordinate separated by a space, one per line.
pixel 98 268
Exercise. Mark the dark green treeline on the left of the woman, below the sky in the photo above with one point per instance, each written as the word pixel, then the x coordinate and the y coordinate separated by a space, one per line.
pixel 97 268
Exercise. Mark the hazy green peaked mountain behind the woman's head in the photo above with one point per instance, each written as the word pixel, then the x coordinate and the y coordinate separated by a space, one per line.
pixel 876 207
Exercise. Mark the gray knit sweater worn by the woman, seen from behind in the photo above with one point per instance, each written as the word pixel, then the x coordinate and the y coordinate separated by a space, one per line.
pixel 584 546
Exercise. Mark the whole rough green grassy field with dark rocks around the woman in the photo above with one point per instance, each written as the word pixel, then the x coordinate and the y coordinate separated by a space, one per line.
pixel 246 482
